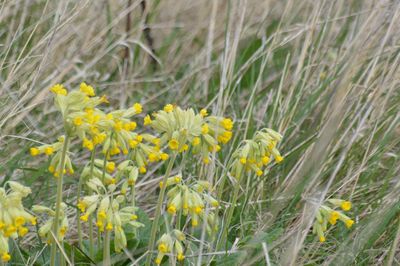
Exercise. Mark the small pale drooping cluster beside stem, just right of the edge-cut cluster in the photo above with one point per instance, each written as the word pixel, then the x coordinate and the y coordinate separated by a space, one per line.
pixel 45 231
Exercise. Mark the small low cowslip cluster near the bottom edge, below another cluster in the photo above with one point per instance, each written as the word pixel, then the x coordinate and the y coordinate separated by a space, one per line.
pixel 171 243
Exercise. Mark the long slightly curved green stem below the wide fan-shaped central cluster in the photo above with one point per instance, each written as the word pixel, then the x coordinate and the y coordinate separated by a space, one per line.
pixel 160 201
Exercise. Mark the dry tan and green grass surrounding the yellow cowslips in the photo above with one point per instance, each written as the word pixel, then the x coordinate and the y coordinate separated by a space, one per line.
pixel 323 73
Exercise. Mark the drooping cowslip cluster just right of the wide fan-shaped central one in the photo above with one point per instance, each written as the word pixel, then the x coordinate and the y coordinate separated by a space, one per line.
pixel 254 154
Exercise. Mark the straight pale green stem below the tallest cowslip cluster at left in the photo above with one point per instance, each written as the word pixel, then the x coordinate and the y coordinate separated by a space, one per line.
pixel 58 201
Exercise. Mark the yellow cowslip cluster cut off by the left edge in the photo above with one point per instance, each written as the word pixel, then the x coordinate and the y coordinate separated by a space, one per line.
pixel 13 216
